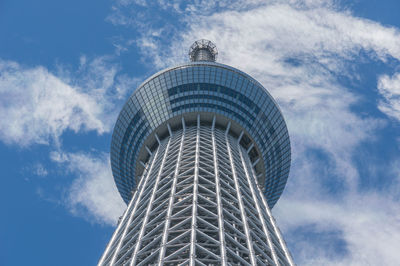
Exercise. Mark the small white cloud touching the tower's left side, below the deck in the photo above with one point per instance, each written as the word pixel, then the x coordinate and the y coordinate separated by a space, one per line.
pixel 93 194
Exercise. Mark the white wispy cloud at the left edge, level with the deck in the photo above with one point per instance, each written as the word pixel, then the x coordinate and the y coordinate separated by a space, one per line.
pixel 37 106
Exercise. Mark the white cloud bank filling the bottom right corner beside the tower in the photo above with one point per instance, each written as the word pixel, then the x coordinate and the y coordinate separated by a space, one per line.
pixel 367 224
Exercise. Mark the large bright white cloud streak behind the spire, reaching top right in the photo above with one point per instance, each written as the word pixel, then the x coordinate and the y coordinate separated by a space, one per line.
pixel 304 29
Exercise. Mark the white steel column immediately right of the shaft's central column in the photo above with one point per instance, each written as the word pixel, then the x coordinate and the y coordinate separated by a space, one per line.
pixel 218 195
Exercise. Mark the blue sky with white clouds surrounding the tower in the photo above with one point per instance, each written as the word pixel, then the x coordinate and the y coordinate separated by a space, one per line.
pixel 67 67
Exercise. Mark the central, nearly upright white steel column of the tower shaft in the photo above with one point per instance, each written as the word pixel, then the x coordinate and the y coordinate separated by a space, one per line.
pixel 195 191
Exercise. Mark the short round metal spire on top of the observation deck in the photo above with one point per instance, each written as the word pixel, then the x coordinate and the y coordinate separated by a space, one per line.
pixel 203 50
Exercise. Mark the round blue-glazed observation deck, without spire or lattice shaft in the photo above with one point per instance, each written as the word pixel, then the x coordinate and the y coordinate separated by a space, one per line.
pixel 157 106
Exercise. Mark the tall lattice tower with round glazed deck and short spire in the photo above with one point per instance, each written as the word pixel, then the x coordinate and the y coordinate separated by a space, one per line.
pixel 200 153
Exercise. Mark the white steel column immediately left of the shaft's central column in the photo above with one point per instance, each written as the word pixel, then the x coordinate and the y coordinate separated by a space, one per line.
pixel 172 196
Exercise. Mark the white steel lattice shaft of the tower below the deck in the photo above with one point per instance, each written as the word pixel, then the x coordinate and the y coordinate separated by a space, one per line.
pixel 198 203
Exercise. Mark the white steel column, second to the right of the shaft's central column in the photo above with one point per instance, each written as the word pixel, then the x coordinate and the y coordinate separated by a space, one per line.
pixel 239 198
